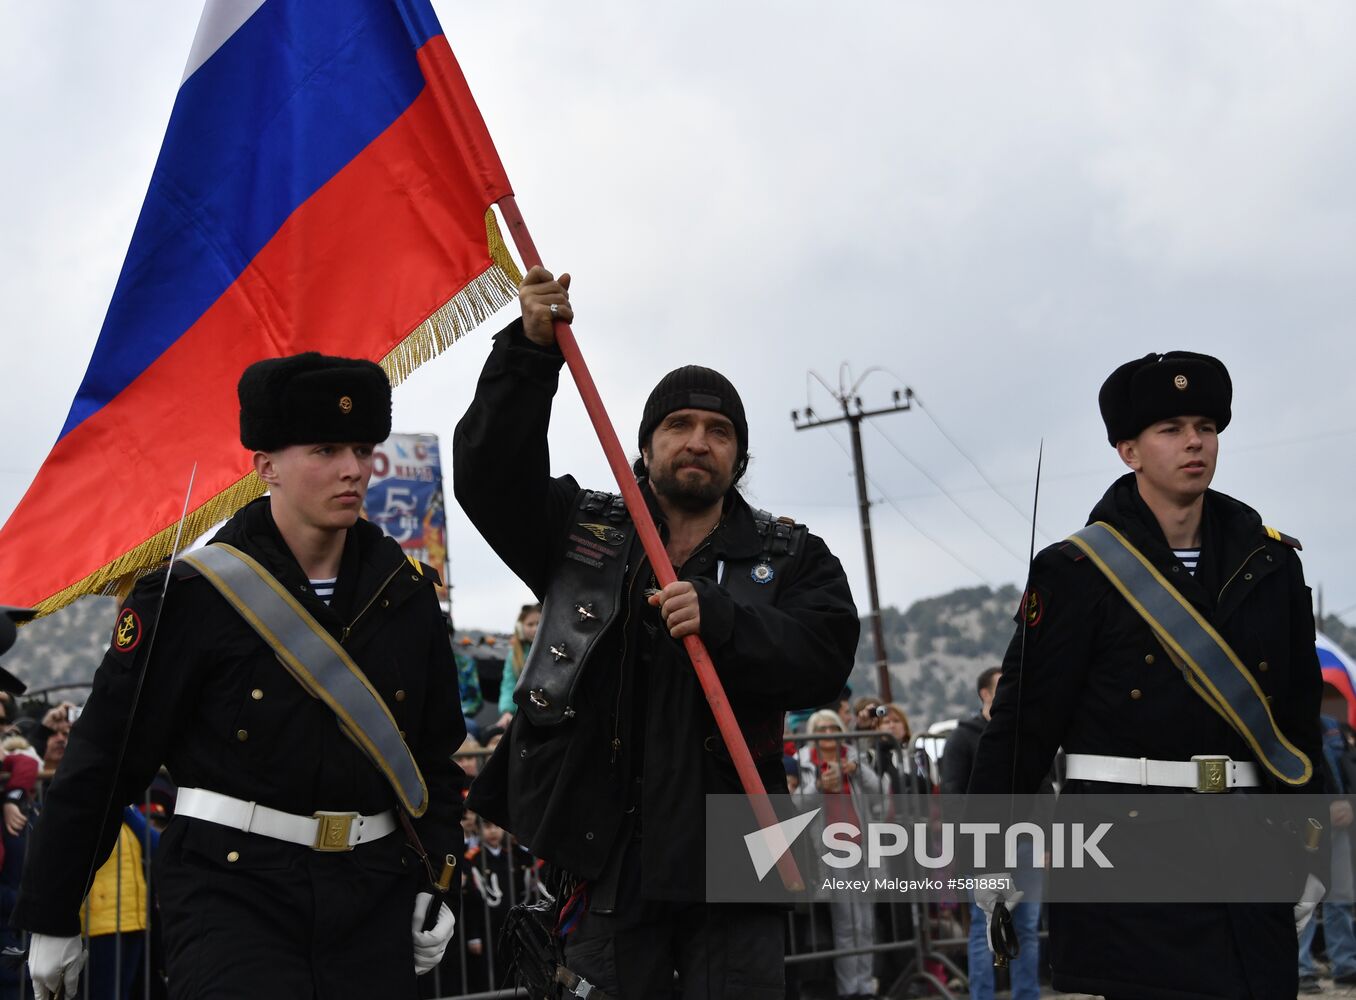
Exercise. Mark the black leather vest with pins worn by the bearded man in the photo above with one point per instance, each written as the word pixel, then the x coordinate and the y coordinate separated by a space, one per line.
pixel 586 592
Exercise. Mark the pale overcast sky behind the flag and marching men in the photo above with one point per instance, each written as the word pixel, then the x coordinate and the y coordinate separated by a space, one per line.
pixel 997 204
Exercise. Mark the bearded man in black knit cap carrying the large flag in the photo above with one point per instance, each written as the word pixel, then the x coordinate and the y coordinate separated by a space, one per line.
pixel 605 770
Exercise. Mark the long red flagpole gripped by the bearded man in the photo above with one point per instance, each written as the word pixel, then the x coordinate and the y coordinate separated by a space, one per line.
pixel 654 547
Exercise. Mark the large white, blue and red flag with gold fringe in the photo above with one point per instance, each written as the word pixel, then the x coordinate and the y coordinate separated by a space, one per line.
pixel 326 184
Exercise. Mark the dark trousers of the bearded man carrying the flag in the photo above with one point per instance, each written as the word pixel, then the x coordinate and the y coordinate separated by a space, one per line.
pixel 718 952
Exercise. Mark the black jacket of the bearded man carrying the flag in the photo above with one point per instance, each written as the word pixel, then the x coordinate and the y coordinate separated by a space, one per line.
pixel 563 789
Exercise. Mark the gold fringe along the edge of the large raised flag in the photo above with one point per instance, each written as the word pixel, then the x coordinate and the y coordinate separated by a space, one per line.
pixel 473 306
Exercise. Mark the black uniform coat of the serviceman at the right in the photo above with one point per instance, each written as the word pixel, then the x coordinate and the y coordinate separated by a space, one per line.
pixel 1095 680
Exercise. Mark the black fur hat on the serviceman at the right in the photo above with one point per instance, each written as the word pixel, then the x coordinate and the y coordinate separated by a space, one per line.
pixel 1159 387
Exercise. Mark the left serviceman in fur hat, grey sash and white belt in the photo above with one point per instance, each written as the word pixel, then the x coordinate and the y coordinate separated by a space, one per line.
pixel 299 683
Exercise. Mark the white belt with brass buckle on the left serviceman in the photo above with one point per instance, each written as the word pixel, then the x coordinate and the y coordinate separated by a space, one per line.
pixel 321 832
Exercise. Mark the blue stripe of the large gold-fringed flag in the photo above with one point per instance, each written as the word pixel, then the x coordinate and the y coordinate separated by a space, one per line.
pixel 292 97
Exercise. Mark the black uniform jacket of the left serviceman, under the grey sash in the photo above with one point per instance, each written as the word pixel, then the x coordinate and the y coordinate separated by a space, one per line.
pixel 223 714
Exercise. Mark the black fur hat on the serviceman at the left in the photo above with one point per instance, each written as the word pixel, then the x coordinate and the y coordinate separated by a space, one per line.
pixel 314 398
